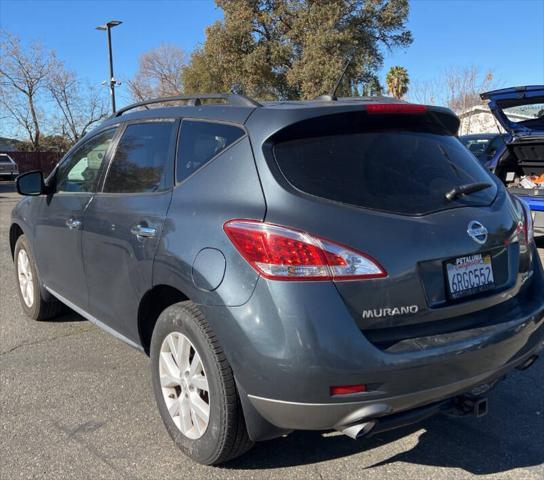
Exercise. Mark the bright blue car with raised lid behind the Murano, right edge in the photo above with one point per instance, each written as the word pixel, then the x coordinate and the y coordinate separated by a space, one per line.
pixel 520 110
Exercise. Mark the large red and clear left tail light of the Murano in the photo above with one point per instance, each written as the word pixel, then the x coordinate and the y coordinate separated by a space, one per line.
pixel 281 253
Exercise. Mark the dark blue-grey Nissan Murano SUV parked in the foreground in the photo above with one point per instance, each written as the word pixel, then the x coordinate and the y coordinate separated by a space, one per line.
pixel 331 264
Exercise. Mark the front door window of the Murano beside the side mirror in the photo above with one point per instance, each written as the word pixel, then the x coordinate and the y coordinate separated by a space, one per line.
pixel 81 170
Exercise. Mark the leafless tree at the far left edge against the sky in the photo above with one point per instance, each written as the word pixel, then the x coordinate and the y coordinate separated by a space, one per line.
pixel 23 76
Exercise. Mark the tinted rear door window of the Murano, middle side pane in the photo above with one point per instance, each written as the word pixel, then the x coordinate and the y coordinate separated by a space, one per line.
pixel 142 160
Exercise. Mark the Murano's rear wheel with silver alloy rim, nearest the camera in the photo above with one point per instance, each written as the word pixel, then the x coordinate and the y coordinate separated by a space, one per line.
pixel 225 436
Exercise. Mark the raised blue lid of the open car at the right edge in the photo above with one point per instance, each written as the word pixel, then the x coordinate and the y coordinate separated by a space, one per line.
pixel 520 110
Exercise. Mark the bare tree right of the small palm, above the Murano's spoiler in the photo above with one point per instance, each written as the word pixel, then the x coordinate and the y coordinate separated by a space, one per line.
pixel 464 85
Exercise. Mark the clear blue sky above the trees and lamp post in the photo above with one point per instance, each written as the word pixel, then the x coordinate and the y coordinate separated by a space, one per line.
pixel 506 36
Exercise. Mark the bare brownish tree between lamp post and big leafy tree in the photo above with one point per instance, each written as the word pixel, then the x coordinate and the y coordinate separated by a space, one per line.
pixel 159 73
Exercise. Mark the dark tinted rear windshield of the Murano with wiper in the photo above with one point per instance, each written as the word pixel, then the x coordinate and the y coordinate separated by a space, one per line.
pixel 394 170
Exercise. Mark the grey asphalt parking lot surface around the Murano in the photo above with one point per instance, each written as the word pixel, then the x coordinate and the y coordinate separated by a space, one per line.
pixel 77 403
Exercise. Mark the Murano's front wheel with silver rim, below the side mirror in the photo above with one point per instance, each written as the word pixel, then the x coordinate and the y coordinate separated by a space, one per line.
pixel 34 304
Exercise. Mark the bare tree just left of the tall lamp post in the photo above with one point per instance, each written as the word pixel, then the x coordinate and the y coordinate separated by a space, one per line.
pixel 80 105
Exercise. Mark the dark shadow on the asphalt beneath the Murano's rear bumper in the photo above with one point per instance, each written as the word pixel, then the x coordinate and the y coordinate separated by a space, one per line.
pixel 501 441
